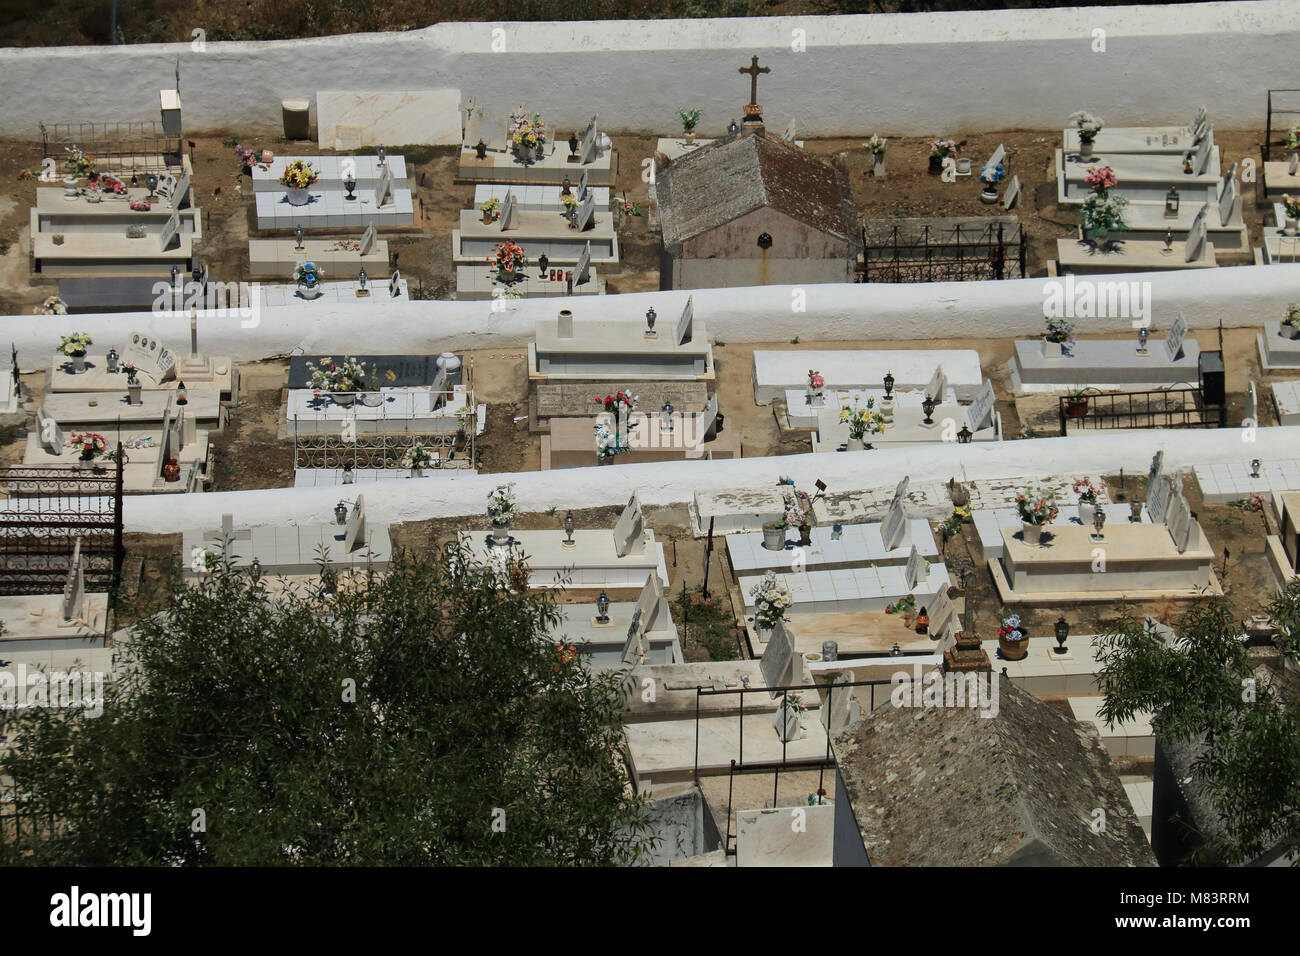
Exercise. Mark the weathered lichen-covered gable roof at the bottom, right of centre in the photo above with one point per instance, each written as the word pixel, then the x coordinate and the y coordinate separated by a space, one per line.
pixel 942 786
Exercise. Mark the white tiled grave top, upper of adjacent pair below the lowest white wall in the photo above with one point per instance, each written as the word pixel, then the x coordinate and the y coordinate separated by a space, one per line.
pixel 859 544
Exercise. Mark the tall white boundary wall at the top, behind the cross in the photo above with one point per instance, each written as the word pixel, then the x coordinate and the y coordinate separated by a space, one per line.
pixel 907 75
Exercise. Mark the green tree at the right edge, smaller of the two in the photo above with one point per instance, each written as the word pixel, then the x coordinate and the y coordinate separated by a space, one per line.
pixel 1204 690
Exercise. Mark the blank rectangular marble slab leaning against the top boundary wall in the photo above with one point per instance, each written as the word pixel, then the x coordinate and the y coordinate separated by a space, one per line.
pixel 426 118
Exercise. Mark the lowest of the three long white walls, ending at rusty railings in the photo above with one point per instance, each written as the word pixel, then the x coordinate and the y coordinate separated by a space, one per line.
pixel 671 483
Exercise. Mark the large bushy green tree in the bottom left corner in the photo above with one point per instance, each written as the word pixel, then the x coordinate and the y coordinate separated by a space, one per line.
pixel 423 716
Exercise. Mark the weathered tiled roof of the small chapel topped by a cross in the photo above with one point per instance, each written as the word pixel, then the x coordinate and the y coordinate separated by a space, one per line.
pixel 730 179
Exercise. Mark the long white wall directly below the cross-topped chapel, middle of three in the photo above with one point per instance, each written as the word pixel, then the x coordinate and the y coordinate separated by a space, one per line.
pixel 1238 297
